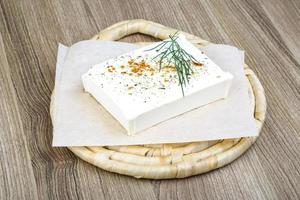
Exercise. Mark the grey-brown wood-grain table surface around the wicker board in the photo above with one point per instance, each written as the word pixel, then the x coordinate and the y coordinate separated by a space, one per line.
pixel 269 32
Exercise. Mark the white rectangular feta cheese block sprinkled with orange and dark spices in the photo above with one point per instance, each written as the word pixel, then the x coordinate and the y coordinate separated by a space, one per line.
pixel 139 94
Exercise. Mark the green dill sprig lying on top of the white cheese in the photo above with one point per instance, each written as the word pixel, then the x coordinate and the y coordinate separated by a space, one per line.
pixel 170 52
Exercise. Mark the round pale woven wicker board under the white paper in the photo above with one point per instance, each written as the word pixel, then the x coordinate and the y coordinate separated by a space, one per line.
pixel 165 161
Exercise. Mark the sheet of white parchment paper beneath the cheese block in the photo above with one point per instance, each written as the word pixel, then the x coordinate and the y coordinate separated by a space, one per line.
pixel 78 120
